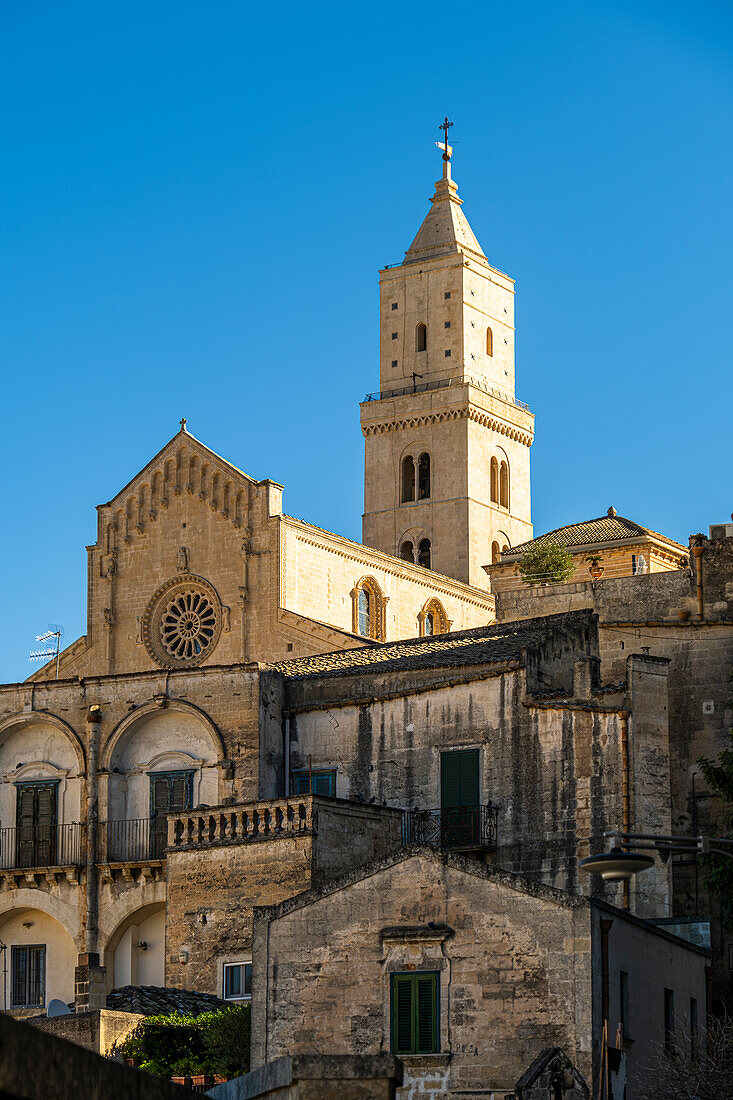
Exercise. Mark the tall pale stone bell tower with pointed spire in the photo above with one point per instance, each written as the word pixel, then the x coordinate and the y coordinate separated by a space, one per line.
pixel 447 444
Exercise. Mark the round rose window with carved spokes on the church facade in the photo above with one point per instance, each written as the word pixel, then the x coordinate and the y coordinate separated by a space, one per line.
pixel 183 622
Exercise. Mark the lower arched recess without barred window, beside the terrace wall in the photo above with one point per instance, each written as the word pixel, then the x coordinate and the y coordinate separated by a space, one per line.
pixel 130 964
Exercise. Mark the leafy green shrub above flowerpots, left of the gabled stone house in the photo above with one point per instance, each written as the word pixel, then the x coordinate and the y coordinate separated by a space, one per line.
pixel 180 1046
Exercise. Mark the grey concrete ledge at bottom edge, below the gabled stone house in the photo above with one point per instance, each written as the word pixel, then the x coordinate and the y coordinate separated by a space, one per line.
pixel 384 1072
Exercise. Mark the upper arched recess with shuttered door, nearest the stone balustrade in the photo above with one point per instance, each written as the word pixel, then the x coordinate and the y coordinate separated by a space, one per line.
pixel 178 741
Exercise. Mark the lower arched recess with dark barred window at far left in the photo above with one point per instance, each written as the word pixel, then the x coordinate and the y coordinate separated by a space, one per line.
pixel 42 951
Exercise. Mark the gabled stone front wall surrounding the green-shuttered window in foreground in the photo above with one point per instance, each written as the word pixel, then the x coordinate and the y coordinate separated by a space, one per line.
pixel 515 965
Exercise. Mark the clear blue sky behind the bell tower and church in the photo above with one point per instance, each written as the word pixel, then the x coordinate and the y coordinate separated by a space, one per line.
pixel 196 200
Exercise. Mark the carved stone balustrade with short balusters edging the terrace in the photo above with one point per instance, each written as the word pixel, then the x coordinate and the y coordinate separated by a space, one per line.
pixel 254 821
